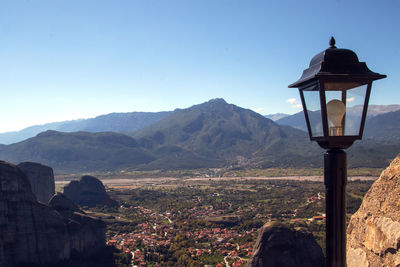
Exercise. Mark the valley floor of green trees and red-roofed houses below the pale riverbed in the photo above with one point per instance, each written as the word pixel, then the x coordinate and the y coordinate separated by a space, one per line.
pixel 203 221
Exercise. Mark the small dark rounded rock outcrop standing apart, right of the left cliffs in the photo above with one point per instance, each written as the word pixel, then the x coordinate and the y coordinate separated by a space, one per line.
pixel 88 191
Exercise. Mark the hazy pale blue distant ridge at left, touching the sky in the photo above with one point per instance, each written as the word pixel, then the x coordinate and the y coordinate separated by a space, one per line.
pixel 114 122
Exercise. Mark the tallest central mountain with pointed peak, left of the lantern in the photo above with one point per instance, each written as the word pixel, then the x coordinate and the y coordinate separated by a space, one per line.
pixel 225 132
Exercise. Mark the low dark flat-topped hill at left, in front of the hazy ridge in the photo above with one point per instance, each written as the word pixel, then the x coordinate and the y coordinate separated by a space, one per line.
pixel 78 152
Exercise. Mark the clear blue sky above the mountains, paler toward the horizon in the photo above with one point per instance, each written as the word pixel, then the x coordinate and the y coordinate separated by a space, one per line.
pixel 69 59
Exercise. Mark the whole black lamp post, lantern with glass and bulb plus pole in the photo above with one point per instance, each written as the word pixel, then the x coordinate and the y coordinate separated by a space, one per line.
pixel 334 82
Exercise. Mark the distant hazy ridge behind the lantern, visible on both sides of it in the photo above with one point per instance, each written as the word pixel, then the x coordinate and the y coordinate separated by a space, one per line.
pixel 297 120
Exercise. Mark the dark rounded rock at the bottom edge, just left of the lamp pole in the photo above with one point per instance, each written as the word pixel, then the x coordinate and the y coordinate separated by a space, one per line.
pixel 280 246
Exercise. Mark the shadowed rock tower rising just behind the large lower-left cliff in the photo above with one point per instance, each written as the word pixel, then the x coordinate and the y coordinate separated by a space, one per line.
pixel 41 178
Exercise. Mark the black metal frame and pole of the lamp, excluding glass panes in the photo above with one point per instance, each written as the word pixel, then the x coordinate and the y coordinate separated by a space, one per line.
pixel 335 66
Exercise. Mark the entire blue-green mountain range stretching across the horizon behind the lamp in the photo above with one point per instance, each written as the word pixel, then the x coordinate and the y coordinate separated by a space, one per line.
pixel 208 135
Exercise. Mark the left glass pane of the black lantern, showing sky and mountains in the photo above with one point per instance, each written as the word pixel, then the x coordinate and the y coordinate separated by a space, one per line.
pixel 312 101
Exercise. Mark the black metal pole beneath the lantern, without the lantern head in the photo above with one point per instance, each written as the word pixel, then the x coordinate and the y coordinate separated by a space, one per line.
pixel 335 178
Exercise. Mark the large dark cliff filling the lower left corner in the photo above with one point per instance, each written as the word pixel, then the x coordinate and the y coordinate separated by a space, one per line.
pixel 34 233
